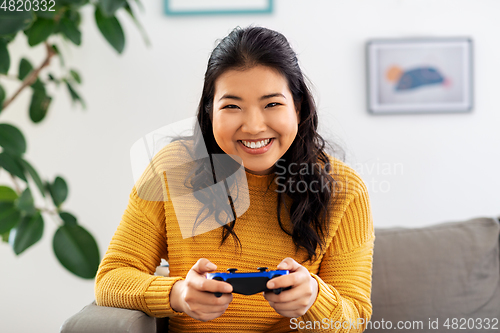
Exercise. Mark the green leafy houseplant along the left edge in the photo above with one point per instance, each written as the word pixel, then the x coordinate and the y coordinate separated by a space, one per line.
pixel 47 23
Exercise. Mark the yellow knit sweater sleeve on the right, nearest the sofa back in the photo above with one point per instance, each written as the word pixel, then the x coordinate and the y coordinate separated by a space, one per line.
pixel 343 303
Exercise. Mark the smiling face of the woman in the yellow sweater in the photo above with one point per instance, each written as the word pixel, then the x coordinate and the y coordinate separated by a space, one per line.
pixel 254 116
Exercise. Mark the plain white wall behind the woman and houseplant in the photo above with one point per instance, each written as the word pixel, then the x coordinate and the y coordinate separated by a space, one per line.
pixel 441 167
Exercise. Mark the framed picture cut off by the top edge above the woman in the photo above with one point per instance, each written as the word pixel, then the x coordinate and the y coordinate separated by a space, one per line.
pixel 211 7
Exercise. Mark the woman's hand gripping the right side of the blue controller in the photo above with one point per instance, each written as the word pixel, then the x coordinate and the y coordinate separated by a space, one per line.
pixel 296 301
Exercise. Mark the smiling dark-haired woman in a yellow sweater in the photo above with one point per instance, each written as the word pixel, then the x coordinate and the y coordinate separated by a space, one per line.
pixel 256 108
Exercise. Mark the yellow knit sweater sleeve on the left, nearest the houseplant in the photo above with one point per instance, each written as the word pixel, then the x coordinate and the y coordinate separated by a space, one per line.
pixel 125 277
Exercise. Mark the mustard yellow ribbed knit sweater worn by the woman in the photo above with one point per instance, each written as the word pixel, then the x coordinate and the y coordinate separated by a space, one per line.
pixel 149 231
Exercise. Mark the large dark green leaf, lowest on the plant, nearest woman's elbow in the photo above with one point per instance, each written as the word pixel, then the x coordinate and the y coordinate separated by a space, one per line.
pixel 76 250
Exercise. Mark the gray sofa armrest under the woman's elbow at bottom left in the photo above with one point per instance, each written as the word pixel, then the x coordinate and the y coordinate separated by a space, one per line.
pixel 101 319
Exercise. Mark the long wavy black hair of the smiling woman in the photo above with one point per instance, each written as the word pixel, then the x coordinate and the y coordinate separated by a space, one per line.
pixel 242 49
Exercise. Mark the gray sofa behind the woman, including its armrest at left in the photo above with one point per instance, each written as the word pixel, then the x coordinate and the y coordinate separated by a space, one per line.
pixel 440 278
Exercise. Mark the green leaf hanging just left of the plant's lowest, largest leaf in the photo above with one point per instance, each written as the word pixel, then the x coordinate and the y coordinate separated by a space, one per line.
pixel 28 232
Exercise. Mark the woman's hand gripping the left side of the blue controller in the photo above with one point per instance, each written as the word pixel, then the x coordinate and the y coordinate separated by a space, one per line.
pixel 195 295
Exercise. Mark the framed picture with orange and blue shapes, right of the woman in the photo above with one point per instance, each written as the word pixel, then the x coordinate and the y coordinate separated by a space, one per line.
pixel 419 75
